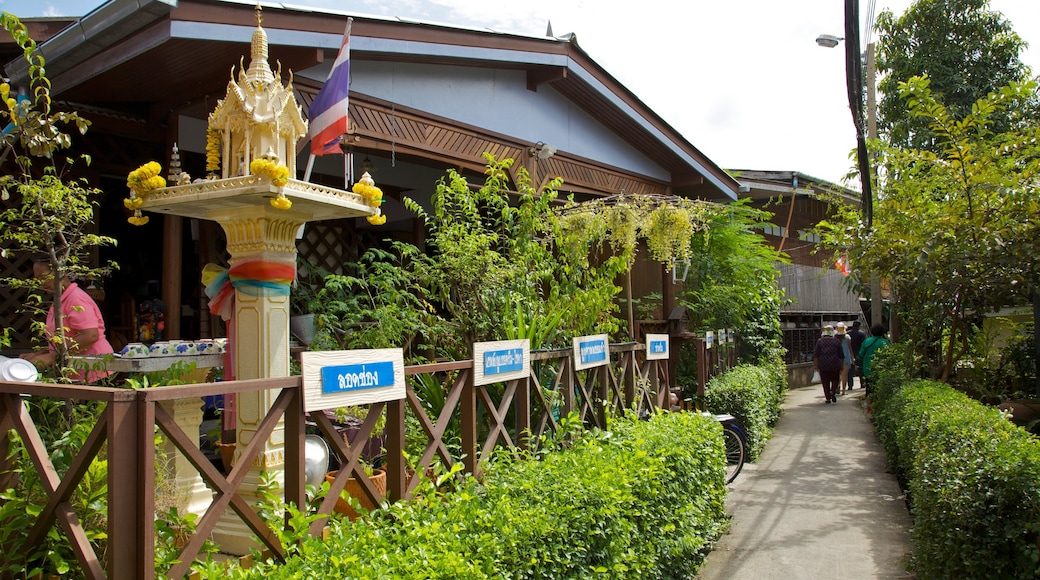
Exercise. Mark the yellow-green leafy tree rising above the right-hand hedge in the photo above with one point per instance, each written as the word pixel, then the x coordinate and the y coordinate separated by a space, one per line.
pixel 956 232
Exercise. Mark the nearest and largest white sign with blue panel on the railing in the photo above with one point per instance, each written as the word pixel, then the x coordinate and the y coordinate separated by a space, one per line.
pixel 348 378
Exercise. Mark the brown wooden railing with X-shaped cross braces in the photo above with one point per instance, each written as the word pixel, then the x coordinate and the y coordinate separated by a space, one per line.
pixel 480 418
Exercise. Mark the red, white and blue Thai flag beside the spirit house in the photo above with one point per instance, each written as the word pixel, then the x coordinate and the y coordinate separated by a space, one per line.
pixel 329 120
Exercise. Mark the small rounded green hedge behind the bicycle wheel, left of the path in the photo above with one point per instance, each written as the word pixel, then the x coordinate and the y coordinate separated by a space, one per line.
pixel 753 396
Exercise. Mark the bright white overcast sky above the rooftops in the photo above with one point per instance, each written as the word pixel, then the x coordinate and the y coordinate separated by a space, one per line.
pixel 743 81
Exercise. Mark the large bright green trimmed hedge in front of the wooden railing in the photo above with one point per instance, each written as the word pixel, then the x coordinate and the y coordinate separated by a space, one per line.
pixel 643 500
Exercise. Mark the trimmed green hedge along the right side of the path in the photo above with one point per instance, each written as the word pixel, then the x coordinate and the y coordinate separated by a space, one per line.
pixel 974 480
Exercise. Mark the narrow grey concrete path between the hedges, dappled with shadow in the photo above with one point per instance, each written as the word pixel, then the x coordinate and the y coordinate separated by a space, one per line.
pixel 820 503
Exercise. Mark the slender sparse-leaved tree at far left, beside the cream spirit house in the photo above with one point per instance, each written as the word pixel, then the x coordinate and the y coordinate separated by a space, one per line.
pixel 56 216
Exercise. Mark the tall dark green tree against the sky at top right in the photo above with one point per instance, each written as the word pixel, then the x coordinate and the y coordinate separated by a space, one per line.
pixel 966 49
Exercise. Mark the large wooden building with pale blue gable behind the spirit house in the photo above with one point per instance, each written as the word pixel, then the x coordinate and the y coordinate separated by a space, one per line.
pixel 424 98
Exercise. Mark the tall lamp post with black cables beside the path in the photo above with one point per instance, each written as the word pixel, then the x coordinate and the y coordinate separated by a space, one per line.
pixel 866 128
